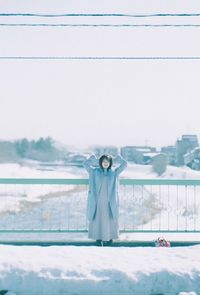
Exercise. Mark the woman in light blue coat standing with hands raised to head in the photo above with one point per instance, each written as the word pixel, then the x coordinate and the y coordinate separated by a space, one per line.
pixel 103 201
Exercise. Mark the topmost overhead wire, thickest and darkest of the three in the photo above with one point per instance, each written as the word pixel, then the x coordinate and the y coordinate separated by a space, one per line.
pixel 101 15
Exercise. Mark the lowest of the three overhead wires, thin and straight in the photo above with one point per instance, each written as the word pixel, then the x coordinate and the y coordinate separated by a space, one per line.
pixel 100 57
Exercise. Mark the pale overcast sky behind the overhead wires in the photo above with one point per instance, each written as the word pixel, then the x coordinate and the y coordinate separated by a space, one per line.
pixel 100 101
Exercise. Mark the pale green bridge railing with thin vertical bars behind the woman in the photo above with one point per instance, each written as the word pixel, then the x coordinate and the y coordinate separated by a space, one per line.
pixel 59 205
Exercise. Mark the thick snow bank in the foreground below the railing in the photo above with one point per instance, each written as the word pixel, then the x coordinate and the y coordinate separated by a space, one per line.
pixel 99 270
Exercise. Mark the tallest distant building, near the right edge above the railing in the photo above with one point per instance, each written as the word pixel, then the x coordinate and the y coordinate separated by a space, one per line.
pixel 184 146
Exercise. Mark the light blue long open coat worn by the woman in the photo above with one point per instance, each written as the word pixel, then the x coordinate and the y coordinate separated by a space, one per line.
pixel 95 181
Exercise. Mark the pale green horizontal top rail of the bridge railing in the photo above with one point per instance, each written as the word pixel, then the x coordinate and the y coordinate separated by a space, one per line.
pixel 84 181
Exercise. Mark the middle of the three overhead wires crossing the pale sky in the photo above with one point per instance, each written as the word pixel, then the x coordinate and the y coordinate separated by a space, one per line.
pixel 98 25
